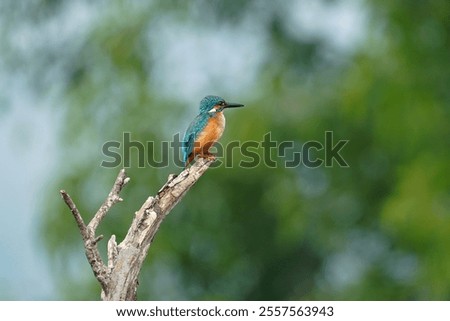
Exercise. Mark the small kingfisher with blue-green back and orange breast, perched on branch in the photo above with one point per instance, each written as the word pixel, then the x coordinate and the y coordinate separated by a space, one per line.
pixel 206 128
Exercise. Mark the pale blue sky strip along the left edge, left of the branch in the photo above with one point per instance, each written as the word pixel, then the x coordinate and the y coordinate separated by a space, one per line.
pixel 29 142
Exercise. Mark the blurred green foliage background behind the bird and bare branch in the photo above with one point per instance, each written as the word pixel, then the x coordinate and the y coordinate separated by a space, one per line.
pixel 378 230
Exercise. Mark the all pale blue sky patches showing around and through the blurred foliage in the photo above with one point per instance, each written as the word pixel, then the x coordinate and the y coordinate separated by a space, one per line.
pixel 29 122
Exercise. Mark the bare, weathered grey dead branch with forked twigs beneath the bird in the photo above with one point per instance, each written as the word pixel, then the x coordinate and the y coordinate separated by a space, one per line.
pixel 119 277
